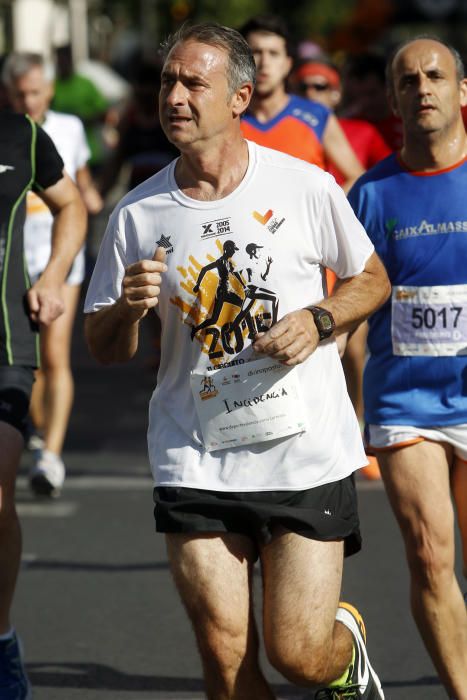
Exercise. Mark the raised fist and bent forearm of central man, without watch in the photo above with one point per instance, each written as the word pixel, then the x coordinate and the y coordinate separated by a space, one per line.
pixel 112 333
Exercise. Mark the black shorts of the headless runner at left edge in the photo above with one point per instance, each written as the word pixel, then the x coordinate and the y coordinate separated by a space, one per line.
pixel 15 394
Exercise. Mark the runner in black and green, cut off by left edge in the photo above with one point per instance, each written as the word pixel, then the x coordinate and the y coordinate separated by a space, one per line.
pixel 29 160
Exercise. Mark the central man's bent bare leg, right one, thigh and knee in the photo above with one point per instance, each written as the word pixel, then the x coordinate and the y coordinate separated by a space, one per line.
pixel 302 583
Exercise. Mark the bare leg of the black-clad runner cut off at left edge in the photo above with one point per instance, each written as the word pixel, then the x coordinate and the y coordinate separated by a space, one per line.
pixel 10 531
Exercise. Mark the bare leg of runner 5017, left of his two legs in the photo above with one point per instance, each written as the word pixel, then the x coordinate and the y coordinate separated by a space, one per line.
pixel 417 482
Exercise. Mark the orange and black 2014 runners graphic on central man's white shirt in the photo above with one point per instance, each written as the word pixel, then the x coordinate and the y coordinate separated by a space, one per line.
pixel 228 303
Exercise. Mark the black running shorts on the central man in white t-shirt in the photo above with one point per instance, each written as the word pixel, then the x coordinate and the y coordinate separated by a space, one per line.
pixel 328 512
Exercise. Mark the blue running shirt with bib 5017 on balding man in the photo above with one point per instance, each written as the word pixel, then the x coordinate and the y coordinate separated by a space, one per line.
pixel 416 373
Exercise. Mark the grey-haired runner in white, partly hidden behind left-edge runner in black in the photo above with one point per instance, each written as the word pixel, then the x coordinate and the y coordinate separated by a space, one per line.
pixel 30 85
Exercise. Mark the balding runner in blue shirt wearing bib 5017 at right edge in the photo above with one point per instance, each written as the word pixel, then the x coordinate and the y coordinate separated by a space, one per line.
pixel 415 392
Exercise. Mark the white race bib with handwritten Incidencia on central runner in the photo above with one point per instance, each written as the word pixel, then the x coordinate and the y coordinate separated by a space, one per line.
pixel 247 404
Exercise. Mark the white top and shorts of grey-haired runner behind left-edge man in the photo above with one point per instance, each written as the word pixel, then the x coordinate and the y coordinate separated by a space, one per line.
pixel 67 133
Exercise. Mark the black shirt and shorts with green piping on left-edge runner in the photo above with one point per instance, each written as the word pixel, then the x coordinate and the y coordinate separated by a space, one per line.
pixel 28 161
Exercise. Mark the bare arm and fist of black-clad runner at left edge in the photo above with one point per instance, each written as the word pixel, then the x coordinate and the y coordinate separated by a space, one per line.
pixel 68 234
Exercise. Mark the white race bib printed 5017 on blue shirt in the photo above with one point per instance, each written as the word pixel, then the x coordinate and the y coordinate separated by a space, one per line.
pixel 429 321
